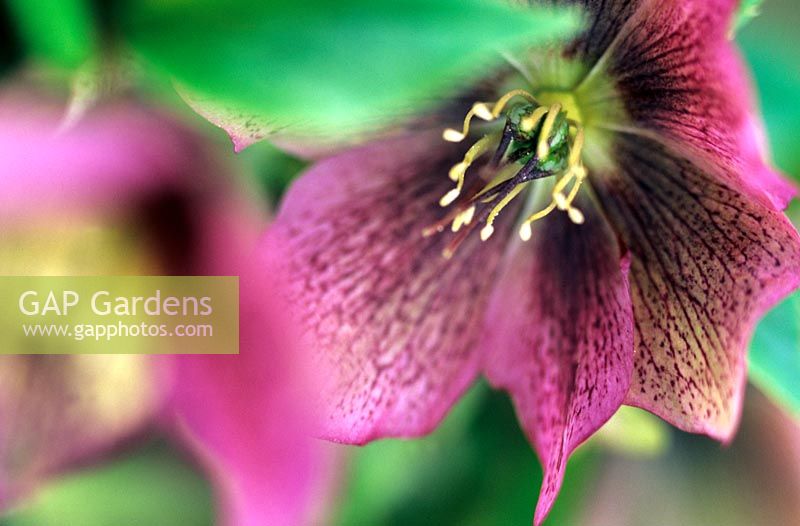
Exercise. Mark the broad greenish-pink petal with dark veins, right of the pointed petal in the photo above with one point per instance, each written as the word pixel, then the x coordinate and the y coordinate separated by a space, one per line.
pixel 707 262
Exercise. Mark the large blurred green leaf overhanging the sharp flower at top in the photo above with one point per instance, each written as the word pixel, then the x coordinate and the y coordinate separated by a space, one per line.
pixel 327 67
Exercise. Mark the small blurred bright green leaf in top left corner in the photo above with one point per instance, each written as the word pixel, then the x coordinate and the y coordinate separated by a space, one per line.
pixel 61 31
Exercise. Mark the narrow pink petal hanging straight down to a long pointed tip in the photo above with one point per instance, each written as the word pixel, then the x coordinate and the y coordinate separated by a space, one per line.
pixel 560 337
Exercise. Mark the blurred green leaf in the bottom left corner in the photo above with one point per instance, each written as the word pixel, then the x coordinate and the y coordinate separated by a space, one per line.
pixel 150 487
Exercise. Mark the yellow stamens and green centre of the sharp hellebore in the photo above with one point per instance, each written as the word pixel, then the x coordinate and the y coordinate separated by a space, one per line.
pixel 542 137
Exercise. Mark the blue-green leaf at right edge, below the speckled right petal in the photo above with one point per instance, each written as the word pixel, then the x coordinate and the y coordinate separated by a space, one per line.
pixel 775 354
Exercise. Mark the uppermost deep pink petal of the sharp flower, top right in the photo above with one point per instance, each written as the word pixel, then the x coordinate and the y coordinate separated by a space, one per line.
pixel 679 75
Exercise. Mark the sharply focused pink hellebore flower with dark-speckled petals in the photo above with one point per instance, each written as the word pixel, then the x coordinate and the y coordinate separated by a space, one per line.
pixel 616 233
